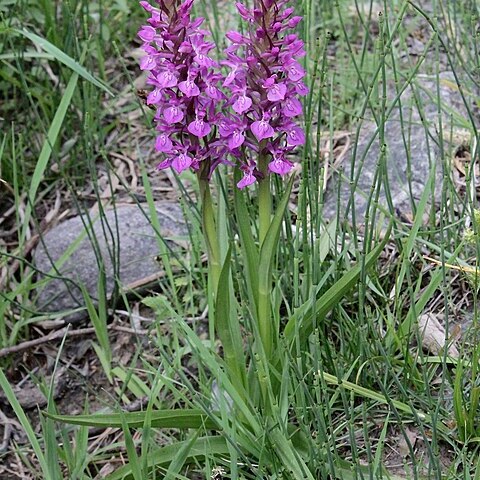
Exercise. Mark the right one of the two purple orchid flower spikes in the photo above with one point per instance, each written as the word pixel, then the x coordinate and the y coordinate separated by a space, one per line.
pixel 264 68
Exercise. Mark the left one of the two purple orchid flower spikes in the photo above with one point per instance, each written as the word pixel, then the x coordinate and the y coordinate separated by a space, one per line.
pixel 185 82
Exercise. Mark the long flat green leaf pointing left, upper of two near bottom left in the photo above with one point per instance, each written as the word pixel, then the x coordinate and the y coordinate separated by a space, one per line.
pixel 187 418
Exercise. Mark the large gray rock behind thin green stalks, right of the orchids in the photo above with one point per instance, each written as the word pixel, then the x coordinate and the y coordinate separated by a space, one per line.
pixel 411 147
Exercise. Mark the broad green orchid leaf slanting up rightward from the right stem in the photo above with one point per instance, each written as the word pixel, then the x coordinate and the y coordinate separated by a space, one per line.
pixel 303 317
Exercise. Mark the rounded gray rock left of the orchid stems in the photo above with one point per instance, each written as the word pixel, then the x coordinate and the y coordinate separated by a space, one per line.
pixel 123 239
